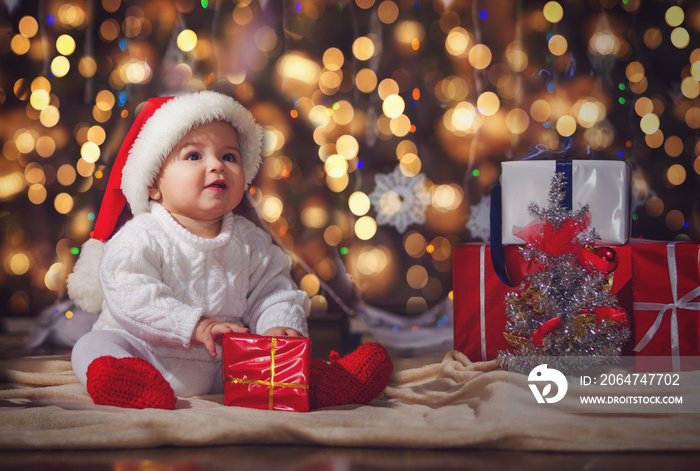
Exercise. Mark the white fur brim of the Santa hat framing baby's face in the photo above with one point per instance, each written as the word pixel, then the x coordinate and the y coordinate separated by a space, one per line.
pixel 169 124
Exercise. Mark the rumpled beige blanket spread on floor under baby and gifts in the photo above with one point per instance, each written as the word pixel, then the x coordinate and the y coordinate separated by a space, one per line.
pixel 439 401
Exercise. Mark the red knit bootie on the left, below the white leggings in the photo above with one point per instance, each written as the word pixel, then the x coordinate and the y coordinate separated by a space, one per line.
pixel 128 382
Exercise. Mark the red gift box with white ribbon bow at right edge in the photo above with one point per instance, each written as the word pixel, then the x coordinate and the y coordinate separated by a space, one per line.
pixel 666 286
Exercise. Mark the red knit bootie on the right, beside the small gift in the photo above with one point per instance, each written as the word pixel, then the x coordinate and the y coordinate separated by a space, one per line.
pixel 357 378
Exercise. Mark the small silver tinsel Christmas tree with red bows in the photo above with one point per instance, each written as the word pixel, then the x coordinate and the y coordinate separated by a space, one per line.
pixel 564 308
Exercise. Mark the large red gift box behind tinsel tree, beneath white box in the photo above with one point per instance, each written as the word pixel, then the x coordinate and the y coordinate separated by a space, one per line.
pixel 479 296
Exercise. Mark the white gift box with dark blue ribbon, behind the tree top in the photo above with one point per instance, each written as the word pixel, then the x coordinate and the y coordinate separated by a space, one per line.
pixel 602 184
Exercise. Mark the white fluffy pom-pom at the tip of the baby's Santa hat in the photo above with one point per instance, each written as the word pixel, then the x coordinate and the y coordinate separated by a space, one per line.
pixel 84 283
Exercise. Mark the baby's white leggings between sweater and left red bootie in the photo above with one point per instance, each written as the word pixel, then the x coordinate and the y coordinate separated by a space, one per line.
pixel 186 377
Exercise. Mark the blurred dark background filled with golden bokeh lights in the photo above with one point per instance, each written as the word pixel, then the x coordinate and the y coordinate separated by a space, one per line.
pixel 385 125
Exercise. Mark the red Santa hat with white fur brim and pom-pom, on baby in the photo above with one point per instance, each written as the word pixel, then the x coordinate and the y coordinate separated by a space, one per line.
pixel 158 128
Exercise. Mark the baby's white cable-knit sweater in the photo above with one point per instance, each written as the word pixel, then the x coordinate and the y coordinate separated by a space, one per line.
pixel 159 279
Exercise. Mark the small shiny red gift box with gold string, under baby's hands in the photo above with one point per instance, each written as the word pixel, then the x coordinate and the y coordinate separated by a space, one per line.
pixel 264 372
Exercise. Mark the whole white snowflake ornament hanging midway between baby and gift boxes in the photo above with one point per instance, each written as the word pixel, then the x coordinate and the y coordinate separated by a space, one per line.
pixel 400 200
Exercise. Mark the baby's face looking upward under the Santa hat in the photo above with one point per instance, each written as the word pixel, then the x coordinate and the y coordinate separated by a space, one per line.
pixel 202 179
